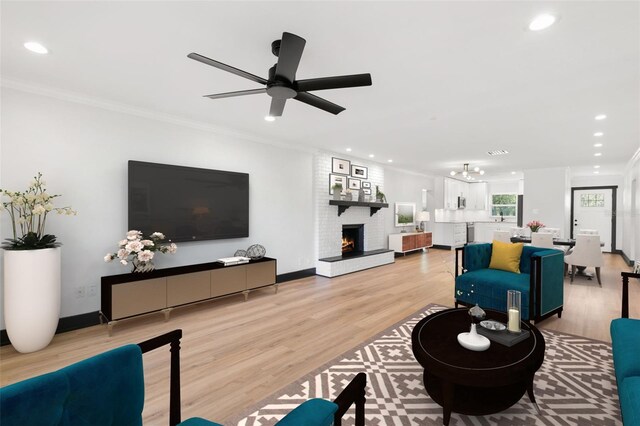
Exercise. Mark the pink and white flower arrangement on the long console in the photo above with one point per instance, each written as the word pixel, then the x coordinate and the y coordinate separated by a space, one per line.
pixel 140 250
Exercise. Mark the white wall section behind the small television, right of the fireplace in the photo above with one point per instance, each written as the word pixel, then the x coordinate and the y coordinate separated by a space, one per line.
pixel 402 186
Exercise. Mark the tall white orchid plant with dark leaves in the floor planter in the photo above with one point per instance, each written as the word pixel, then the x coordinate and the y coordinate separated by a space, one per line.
pixel 28 211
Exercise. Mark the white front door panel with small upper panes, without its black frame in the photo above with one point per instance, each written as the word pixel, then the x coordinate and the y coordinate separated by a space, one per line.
pixel 593 209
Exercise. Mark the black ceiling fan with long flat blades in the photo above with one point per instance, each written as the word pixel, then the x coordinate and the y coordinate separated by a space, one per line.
pixel 282 84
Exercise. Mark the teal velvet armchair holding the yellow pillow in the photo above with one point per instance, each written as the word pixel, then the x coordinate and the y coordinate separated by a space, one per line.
pixel 540 281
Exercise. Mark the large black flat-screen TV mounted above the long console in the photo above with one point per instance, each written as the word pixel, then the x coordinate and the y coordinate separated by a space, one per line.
pixel 187 203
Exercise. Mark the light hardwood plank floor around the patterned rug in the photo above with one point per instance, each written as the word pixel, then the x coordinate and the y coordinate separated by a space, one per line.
pixel 235 353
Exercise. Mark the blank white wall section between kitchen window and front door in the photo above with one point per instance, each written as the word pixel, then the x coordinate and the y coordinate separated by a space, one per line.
pixel 547 197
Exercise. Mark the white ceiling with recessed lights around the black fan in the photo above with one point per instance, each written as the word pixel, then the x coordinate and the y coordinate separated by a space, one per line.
pixel 451 80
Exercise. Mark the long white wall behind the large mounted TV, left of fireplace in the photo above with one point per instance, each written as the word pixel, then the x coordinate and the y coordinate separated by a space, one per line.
pixel 83 151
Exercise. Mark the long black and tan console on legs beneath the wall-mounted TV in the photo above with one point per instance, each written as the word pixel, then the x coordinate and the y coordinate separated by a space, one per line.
pixel 129 295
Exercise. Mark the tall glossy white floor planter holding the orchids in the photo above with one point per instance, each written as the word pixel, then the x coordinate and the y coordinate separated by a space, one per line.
pixel 31 297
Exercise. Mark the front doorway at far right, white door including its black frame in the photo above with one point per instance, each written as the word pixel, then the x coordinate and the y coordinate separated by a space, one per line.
pixel 595 208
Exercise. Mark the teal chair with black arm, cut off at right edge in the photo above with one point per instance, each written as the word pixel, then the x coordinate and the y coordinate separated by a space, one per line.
pixel 625 342
